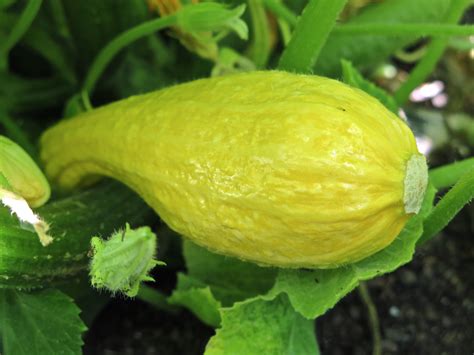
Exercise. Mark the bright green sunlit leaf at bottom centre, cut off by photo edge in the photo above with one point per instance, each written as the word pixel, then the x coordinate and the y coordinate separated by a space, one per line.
pixel 269 327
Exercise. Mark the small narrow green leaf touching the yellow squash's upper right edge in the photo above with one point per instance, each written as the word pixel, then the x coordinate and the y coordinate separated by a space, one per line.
pixel 354 78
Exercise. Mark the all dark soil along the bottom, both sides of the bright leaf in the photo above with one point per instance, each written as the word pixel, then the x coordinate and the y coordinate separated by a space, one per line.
pixel 426 307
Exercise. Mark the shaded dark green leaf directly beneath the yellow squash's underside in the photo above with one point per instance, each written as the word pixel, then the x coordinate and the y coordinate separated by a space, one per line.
pixel 230 279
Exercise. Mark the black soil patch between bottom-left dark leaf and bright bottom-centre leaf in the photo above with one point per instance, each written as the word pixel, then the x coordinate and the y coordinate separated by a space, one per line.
pixel 132 327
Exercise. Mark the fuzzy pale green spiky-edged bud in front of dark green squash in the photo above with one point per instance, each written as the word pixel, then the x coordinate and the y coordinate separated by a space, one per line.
pixel 122 262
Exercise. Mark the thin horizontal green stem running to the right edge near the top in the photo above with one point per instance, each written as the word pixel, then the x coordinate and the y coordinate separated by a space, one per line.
pixel 399 29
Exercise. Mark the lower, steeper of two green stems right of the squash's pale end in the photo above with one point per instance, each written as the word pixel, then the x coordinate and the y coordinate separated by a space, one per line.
pixel 451 203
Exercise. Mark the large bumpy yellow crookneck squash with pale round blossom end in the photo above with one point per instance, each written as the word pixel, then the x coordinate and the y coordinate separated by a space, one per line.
pixel 271 167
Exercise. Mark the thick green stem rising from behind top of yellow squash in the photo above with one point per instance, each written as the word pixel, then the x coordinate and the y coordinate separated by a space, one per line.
pixel 310 35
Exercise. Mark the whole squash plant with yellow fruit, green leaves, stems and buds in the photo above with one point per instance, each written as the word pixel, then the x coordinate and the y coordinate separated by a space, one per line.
pixel 226 161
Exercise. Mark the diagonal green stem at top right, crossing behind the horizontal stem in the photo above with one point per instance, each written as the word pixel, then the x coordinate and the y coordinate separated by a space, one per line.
pixel 433 54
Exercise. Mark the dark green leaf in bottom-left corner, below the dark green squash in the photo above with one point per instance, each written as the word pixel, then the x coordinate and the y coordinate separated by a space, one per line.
pixel 43 322
